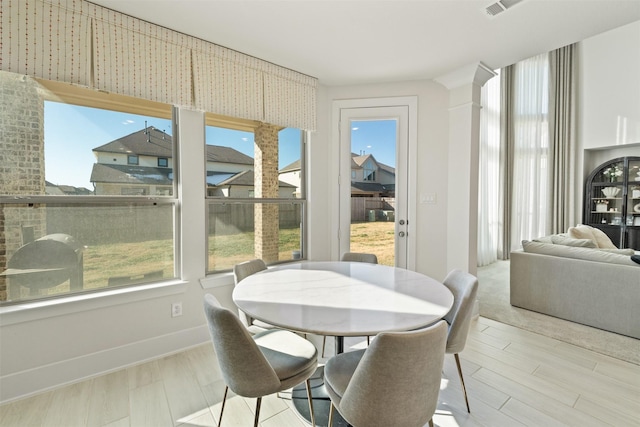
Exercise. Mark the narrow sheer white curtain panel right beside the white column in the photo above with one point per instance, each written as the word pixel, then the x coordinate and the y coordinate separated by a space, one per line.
pixel 489 216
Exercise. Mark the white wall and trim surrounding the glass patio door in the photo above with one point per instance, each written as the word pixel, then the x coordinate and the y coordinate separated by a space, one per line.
pixel 430 219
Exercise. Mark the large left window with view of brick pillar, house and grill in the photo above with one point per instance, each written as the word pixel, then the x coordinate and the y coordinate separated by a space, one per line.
pixel 74 211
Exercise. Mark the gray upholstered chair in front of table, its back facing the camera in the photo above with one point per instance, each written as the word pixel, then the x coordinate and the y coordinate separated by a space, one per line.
pixel 393 382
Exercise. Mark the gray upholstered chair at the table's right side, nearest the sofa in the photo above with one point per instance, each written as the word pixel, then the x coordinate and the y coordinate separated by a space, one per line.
pixel 464 287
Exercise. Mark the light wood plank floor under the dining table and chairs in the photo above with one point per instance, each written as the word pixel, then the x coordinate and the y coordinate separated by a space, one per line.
pixel 513 377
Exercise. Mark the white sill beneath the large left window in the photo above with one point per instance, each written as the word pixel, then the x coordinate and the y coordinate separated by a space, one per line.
pixel 37 310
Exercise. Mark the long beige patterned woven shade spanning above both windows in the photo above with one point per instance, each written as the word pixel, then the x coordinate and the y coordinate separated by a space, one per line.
pixel 77 42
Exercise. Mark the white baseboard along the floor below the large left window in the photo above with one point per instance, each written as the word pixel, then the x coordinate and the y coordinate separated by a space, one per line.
pixel 43 378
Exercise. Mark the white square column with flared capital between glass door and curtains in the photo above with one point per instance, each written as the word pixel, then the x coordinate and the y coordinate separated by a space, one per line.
pixel 464 87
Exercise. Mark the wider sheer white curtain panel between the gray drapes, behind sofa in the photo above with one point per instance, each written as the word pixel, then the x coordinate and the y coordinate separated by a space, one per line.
pixel 531 168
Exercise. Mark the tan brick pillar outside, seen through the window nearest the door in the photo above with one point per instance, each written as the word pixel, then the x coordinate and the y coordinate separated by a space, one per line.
pixel 266 217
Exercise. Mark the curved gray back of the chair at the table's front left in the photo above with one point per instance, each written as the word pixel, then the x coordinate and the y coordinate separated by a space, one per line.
pixel 244 368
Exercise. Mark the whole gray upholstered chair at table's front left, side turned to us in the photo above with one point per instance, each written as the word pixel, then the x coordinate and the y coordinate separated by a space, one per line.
pixel 259 365
